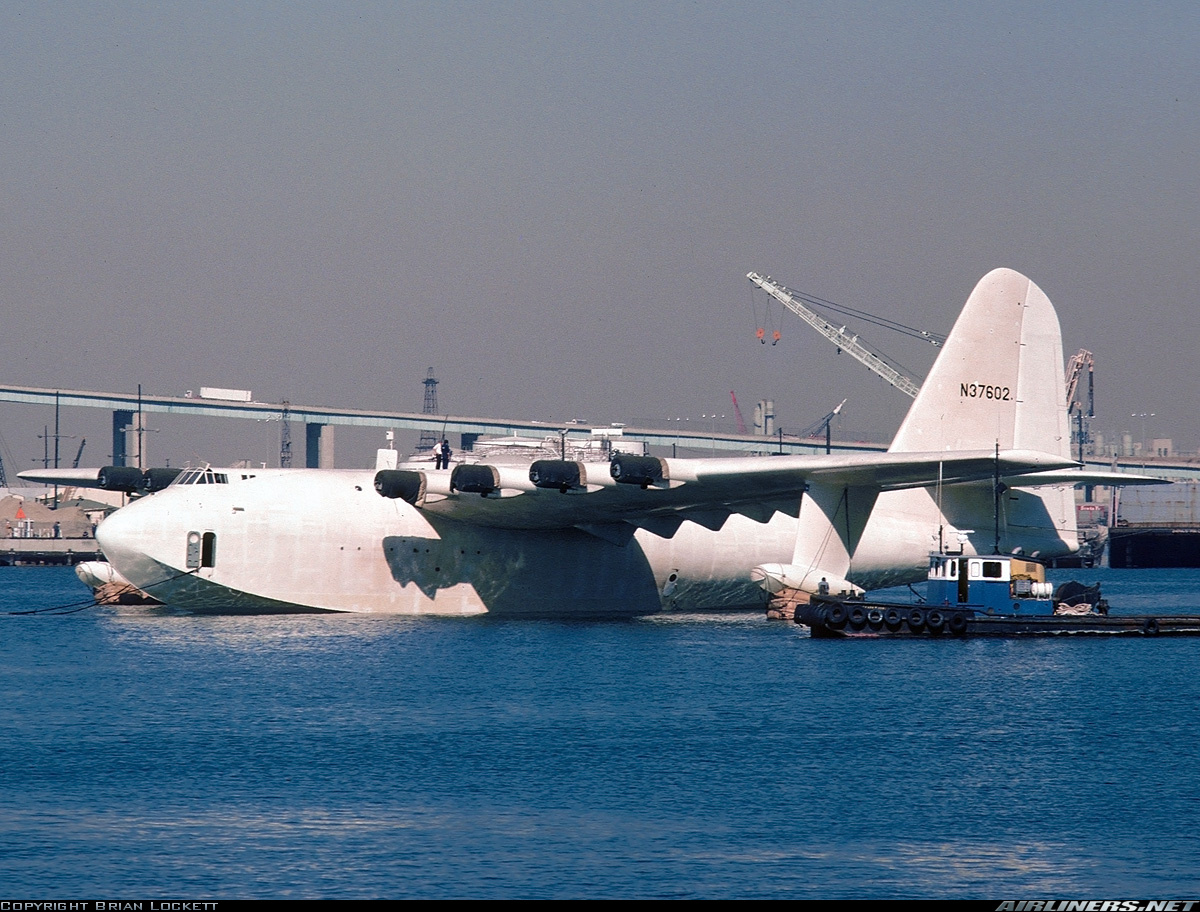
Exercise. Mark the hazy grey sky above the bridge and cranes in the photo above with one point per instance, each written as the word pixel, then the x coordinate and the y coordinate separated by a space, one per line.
pixel 556 205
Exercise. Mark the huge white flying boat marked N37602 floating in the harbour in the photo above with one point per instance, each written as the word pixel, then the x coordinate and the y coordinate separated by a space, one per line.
pixel 644 535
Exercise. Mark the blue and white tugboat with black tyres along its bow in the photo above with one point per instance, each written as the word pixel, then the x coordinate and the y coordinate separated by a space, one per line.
pixel 986 596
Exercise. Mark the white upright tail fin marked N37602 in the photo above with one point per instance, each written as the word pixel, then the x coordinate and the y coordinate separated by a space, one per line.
pixel 999 380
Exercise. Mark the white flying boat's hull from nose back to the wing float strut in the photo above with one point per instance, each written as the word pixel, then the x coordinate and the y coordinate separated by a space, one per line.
pixel 327 542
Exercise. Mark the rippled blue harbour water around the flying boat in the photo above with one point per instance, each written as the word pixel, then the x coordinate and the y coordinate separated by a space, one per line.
pixel 151 754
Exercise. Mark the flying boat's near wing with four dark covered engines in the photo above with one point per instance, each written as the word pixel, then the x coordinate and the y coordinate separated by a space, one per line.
pixel 661 494
